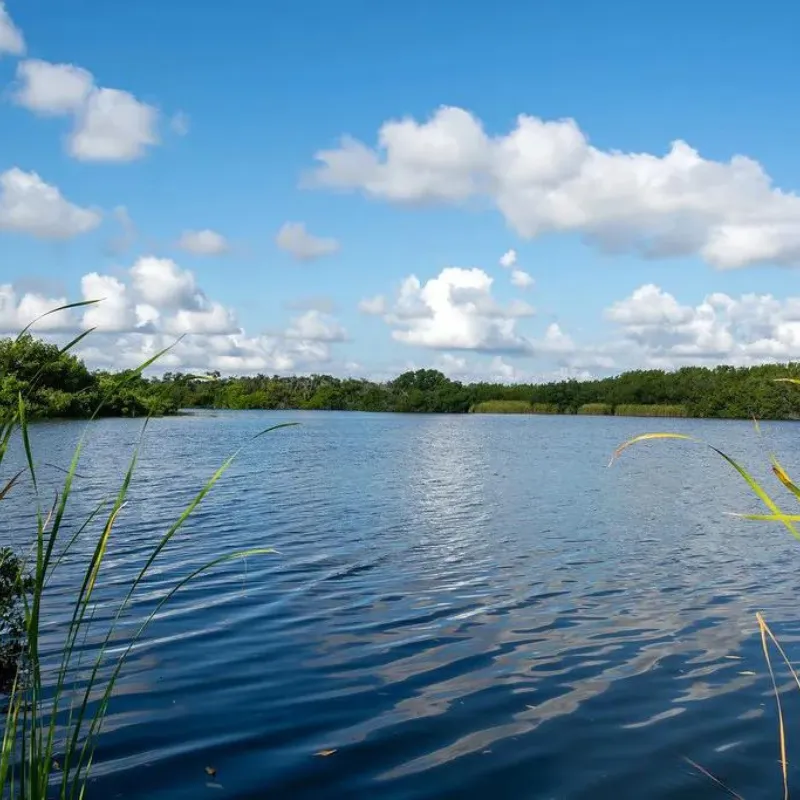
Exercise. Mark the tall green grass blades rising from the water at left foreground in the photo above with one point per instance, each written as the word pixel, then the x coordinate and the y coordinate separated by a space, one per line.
pixel 55 711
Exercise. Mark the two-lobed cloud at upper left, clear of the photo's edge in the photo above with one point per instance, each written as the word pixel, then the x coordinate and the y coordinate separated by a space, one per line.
pixel 109 124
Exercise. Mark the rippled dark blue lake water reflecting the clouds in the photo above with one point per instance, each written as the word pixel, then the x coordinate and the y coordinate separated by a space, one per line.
pixel 461 607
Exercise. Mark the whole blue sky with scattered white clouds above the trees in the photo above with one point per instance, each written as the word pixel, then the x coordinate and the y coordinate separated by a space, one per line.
pixel 516 191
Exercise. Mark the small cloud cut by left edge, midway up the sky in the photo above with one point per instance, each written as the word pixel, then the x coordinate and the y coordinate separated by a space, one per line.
pixel 29 205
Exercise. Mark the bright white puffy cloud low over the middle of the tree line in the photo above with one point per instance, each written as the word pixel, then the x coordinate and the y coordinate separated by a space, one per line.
pixel 456 310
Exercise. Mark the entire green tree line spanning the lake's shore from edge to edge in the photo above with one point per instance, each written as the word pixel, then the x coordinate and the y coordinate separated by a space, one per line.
pixel 57 384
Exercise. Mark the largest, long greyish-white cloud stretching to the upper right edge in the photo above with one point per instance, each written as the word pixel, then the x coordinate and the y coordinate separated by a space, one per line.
pixel 545 177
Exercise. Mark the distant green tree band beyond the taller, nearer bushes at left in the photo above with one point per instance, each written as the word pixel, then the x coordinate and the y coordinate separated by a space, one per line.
pixel 725 392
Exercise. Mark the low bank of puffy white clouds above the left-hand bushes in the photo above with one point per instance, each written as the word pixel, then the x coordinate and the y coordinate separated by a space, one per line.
pixel 157 304
